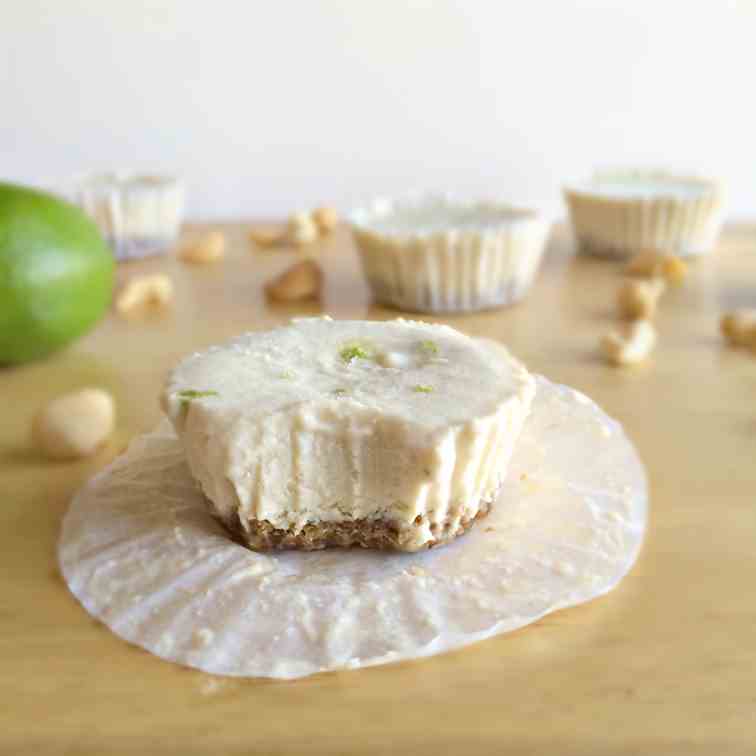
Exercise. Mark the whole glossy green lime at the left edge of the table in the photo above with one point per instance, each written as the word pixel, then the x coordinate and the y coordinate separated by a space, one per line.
pixel 56 273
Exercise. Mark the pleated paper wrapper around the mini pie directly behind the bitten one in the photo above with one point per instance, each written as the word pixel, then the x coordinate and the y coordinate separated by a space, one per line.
pixel 453 271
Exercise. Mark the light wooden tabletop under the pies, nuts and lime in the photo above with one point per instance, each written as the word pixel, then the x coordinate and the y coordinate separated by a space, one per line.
pixel 666 664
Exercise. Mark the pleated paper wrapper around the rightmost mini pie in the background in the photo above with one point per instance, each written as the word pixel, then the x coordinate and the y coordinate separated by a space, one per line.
pixel 621 228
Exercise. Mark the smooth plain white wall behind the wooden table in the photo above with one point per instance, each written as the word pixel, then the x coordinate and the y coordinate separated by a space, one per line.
pixel 268 105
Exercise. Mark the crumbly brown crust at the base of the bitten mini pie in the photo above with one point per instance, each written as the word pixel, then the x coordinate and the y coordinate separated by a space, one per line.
pixel 261 535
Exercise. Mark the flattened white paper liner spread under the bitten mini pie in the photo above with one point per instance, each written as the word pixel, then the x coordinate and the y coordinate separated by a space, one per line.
pixel 141 553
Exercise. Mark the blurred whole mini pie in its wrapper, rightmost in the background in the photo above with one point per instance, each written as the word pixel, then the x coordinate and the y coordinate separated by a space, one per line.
pixel 619 214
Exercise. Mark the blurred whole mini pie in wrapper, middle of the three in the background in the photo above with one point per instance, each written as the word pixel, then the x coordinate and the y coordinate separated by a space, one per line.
pixel 437 254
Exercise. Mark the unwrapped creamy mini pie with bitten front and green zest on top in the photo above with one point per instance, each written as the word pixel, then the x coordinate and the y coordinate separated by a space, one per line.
pixel 392 435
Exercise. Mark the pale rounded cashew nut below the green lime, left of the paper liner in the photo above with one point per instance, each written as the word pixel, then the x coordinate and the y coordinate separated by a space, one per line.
pixel 75 425
